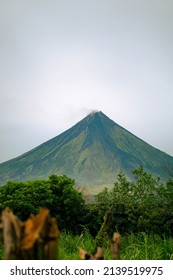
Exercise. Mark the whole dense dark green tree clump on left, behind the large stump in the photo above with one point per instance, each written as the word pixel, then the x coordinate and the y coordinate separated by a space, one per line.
pixel 57 194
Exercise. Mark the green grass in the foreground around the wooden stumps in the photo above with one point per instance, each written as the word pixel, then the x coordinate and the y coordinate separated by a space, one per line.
pixel 133 247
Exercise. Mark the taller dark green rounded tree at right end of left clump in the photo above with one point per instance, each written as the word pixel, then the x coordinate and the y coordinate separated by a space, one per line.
pixel 68 205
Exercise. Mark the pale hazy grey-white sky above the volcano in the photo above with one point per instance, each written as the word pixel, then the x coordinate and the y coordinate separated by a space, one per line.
pixel 60 59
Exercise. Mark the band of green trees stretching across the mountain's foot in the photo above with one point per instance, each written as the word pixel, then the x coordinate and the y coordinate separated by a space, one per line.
pixel 143 204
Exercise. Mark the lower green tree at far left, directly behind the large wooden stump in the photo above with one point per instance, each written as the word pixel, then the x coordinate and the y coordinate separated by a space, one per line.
pixel 25 198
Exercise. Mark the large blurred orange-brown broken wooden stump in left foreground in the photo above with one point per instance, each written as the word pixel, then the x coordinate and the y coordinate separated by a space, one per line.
pixel 34 239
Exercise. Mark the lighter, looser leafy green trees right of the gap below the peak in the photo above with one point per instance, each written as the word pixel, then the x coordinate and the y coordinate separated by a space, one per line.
pixel 144 205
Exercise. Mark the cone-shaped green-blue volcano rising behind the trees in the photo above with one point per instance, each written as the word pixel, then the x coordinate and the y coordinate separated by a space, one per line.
pixel 92 152
